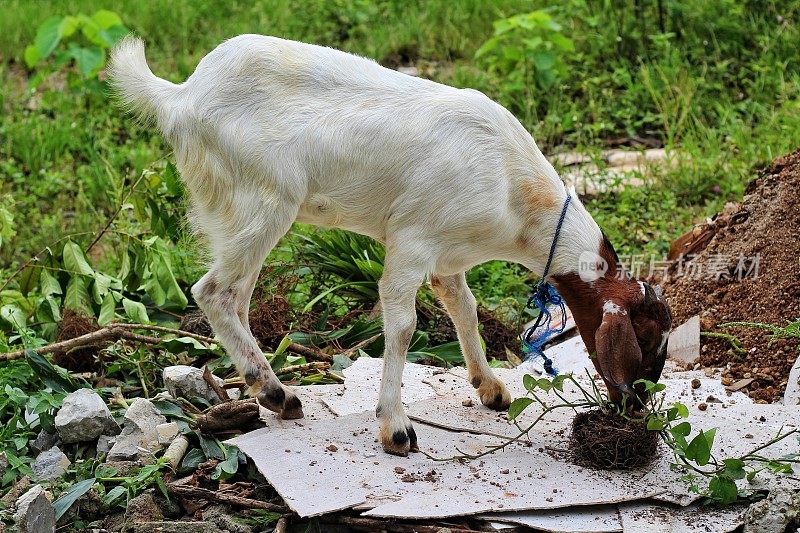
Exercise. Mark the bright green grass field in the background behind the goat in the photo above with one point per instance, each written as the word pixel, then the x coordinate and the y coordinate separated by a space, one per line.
pixel 717 81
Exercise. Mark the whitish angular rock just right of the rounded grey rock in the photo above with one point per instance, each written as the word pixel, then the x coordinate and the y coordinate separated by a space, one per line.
pixel 139 437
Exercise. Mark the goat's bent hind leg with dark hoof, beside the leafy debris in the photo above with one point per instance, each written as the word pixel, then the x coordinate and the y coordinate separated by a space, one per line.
pixel 224 295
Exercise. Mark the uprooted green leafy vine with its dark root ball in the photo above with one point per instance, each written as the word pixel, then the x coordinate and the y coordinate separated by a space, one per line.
pixel 611 436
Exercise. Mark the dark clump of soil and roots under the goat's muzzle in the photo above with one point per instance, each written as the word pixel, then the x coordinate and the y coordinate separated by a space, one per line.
pixel 610 441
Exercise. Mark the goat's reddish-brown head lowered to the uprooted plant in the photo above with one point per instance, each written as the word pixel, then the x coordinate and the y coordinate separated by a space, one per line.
pixel 624 323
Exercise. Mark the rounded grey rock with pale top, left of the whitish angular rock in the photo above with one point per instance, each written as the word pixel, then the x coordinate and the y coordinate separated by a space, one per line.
pixel 83 417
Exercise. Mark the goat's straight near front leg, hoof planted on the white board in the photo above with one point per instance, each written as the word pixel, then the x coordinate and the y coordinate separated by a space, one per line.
pixel 398 290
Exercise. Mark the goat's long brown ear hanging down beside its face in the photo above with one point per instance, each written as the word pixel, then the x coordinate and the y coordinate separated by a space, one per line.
pixel 618 353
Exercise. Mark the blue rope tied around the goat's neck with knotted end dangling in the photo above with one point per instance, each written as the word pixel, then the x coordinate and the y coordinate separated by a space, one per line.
pixel 543 294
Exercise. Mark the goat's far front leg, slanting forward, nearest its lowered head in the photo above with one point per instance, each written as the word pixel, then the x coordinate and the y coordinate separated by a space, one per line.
pixel 462 308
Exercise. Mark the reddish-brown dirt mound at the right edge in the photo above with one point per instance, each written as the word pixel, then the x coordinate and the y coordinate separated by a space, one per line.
pixel 747 270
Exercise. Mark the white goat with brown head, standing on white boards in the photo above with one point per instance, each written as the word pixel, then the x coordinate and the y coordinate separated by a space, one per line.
pixel 268 131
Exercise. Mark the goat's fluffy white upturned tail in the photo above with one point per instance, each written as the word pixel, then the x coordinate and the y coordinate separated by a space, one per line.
pixel 138 89
